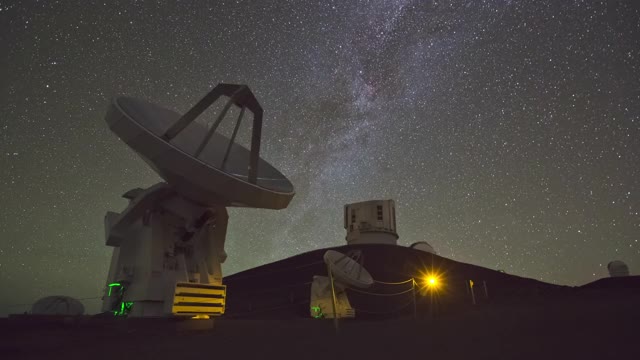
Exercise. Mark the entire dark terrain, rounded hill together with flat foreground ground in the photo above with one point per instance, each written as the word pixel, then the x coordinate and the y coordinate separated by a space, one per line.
pixel 268 317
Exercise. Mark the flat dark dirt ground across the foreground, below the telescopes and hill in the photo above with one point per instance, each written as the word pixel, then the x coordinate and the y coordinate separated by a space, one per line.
pixel 592 328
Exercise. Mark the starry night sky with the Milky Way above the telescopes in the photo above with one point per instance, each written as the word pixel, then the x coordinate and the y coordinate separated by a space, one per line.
pixel 507 131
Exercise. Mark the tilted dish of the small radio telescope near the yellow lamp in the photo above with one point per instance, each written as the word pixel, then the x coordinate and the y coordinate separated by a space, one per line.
pixel 347 270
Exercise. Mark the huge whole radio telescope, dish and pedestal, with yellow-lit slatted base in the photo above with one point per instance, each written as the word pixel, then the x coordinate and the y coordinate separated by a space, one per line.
pixel 169 241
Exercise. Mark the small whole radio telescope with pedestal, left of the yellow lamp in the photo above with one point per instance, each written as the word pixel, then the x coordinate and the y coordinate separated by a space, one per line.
pixel 328 296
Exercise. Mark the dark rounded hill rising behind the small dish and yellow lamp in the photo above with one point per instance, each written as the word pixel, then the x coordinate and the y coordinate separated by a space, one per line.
pixel 281 289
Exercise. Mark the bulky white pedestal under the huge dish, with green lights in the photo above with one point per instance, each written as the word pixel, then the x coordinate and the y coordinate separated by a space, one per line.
pixel 162 244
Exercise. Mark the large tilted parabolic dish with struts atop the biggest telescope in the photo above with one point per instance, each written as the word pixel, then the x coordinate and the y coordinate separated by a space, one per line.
pixel 198 162
